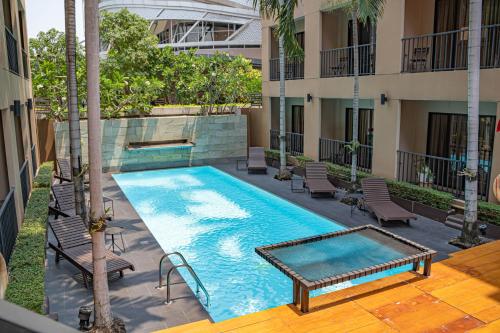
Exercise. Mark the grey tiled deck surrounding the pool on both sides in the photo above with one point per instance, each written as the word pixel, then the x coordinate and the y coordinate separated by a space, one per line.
pixel 135 298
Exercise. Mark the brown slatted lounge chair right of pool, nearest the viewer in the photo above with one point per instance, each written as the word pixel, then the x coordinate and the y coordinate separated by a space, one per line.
pixel 378 201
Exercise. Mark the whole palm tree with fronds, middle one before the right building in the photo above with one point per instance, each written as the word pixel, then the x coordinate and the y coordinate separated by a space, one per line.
pixel 364 11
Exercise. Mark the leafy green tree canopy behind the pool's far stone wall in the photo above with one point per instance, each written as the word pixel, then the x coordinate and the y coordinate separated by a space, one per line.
pixel 135 71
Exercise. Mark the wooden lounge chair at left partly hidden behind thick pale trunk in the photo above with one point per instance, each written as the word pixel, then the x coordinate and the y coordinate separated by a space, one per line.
pixel 75 245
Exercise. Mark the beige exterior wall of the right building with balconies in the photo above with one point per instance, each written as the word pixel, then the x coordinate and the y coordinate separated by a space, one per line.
pixel 402 122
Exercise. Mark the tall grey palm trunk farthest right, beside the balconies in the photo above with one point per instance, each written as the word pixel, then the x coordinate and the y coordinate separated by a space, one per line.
pixel 470 236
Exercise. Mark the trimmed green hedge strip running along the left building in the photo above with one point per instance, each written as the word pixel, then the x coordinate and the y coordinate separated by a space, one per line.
pixel 26 286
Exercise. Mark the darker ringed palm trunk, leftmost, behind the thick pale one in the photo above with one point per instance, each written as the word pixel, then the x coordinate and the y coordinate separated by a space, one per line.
pixel 73 112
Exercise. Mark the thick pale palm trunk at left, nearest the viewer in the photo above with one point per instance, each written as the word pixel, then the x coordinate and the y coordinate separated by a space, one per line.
pixel 102 307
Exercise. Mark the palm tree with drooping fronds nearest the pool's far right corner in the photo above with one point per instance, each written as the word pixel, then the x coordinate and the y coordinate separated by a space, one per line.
pixel 282 11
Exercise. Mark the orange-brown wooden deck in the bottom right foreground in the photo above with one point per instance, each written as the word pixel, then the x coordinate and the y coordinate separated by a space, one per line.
pixel 462 295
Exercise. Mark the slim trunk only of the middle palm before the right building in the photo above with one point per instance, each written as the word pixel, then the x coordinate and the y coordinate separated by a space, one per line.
pixel 355 100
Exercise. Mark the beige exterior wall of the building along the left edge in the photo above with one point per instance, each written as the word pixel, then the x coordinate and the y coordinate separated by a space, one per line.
pixel 14 87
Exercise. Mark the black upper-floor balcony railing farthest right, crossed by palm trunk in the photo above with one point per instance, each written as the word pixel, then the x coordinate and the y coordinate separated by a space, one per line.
pixel 448 50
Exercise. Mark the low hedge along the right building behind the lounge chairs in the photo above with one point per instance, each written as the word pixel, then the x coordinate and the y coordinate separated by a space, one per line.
pixel 487 212
